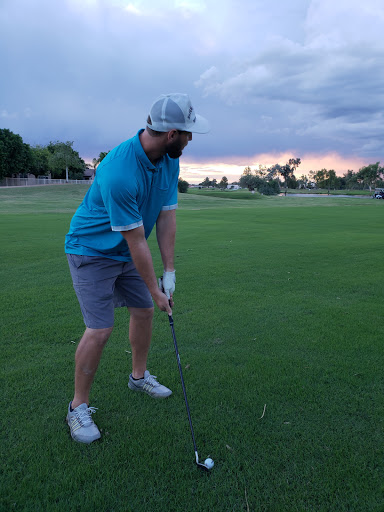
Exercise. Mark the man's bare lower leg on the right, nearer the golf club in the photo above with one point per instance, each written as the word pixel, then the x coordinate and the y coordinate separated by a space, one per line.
pixel 140 333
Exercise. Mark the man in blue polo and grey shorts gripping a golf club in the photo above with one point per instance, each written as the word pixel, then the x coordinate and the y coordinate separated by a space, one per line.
pixel 111 266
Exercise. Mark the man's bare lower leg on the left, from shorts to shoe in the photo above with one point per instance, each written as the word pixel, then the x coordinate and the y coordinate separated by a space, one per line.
pixel 87 360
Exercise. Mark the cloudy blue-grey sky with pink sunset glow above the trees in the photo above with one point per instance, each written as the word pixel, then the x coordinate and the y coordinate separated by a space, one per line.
pixel 276 80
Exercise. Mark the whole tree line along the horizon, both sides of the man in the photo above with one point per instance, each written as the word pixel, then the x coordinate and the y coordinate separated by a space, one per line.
pixel 61 161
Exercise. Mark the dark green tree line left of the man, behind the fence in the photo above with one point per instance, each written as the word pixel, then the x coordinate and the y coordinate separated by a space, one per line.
pixel 57 159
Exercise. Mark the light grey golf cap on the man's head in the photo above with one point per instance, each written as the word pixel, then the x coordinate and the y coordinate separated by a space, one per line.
pixel 175 112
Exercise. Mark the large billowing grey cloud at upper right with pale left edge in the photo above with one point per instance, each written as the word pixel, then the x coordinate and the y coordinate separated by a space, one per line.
pixel 328 87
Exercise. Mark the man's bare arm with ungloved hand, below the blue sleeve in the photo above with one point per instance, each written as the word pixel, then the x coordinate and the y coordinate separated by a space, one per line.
pixel 142 259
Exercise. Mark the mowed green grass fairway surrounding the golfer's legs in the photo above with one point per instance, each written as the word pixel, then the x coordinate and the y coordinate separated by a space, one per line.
pixel 279 320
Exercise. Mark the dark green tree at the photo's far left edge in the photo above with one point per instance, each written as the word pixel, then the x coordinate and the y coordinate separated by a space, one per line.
pixel 15 155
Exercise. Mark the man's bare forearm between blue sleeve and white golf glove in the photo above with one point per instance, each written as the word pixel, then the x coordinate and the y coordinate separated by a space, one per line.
pixel 166 235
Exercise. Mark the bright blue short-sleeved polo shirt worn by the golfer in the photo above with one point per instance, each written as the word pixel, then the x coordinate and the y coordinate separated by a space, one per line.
pixel 128 192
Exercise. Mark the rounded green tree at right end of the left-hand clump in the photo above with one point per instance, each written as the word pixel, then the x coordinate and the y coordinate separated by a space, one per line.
pixel 63 159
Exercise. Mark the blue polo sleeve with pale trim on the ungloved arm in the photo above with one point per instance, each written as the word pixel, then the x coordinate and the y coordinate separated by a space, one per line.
pixel 120 200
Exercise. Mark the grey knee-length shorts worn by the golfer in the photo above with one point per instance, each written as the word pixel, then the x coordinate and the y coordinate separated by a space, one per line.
pixel 103 284
